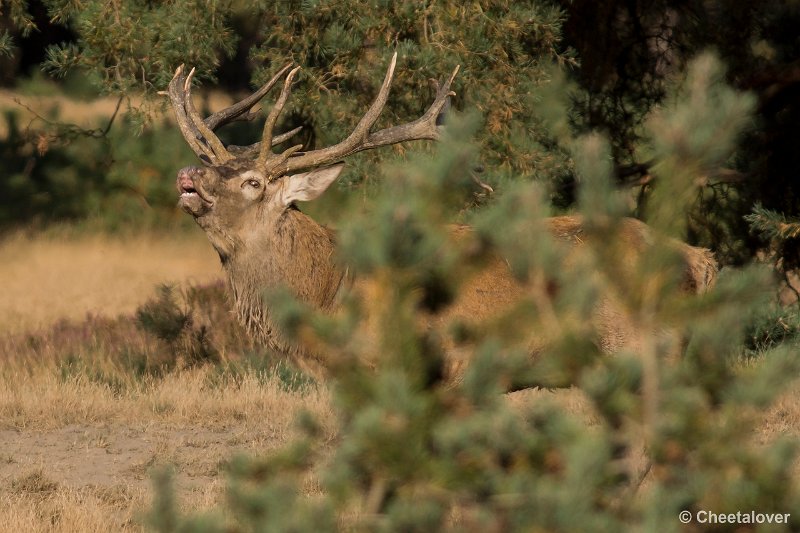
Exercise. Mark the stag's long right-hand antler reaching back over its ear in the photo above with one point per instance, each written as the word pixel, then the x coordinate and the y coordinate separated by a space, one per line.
pixel 424 127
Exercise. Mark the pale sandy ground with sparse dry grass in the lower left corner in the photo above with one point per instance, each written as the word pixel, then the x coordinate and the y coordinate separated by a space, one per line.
pixel 86 477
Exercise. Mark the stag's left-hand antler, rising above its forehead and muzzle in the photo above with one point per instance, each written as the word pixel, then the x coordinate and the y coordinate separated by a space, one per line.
pixel 199 133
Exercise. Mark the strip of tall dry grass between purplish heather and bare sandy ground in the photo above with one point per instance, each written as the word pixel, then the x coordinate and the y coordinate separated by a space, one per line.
pixel 42 399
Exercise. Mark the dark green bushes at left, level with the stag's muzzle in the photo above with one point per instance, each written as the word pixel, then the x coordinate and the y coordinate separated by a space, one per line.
pixel 57 172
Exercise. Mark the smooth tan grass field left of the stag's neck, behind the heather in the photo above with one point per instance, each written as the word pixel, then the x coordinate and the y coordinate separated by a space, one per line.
pixel 43 280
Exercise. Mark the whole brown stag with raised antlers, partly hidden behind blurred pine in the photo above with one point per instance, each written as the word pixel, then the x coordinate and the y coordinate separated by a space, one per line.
pixel 244 199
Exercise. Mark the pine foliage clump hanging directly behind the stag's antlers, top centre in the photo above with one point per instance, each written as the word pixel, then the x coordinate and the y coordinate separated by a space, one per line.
pixel 503 49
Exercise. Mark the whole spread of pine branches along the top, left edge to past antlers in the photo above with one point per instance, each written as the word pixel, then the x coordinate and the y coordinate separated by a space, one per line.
pixel 503 48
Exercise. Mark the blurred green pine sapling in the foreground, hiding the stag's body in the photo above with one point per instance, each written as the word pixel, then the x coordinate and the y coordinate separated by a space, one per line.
pixel 419 453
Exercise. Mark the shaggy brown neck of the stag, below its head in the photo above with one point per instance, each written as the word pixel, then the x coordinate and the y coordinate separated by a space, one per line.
pixel 294 252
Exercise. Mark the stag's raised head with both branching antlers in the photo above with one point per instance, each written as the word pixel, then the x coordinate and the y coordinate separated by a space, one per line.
pixel 240 188
